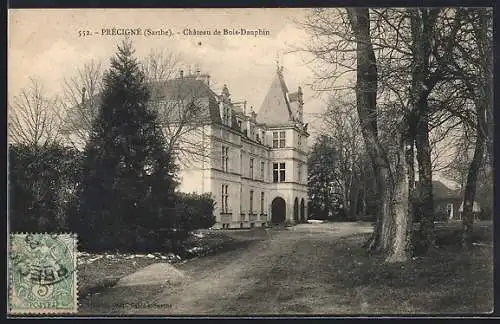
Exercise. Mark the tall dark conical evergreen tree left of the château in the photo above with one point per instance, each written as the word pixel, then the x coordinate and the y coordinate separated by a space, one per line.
pixel 128 178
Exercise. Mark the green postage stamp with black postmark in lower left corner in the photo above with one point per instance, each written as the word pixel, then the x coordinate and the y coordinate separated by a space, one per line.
pixel 42 273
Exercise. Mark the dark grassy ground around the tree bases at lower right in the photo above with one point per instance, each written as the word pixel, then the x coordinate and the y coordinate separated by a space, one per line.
pixel 447 280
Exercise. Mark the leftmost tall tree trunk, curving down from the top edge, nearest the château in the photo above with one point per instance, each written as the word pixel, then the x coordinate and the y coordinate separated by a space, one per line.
pixel 366 98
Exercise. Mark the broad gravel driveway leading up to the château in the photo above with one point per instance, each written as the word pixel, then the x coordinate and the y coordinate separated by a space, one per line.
pixel 278 271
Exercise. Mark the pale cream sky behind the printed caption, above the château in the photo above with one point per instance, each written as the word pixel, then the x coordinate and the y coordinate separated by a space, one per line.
pixel 47 45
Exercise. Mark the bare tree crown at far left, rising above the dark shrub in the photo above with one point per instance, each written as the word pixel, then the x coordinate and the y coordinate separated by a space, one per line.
pixel 33 117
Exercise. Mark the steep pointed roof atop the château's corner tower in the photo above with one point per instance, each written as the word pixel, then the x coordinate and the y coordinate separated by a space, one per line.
pixel 275 109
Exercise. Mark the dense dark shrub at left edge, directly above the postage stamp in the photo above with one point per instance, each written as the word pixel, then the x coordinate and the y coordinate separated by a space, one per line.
pixel 42 187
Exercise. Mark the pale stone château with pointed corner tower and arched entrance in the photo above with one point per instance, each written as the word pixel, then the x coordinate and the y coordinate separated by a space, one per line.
pixel 254 165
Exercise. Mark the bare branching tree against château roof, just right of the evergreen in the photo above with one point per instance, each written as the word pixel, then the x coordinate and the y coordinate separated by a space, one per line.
pixel 182 100
